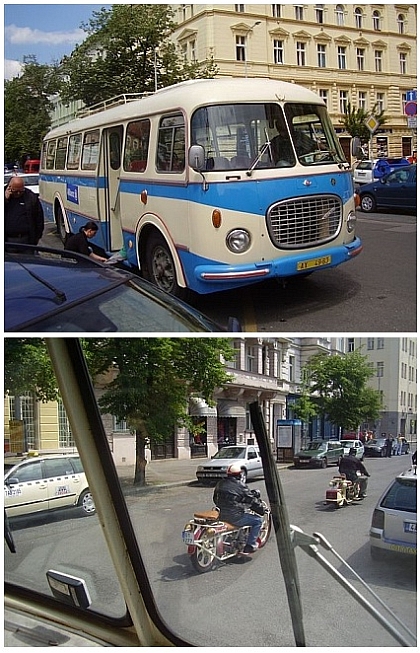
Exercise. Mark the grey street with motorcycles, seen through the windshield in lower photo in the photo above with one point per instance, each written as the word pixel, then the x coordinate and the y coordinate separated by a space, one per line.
pixel 235 604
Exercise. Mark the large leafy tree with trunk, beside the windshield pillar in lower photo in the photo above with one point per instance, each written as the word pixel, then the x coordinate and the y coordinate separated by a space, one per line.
pixel 150 380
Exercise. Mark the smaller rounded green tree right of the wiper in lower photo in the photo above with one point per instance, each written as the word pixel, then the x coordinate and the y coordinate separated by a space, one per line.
pixel 339 384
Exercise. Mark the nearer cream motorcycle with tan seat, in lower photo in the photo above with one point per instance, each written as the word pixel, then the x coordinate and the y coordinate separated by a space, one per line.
pixel 210 540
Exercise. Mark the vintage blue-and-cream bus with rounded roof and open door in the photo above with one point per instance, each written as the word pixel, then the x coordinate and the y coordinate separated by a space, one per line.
pixel 207 185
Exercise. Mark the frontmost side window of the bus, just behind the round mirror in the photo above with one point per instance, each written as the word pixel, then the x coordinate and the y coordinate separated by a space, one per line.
pixel 170 156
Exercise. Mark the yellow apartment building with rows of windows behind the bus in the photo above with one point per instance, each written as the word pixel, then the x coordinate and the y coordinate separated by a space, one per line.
pixel 365 55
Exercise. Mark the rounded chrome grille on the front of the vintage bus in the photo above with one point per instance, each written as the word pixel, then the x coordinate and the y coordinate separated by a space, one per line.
pixel 304 221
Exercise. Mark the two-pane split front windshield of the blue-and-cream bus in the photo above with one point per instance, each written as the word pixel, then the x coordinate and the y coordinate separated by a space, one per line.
pixel 241 136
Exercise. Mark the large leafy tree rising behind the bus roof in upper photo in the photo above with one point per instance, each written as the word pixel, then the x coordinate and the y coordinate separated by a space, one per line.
pixel 127 50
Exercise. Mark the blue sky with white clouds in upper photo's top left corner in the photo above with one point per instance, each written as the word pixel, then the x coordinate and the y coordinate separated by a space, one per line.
pixel 48 31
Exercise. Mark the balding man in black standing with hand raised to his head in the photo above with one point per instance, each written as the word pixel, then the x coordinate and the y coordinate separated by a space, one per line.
pixel 23 215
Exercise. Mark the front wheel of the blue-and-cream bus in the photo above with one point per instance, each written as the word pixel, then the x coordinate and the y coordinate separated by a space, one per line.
pixel 161 266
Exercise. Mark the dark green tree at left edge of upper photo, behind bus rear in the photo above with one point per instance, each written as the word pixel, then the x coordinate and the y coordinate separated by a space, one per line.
pixel 26 109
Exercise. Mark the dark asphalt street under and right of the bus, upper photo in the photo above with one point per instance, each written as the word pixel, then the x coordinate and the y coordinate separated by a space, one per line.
pixel 375 292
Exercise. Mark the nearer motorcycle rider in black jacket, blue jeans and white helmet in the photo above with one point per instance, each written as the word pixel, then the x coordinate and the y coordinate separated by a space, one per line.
pixel 233 497
